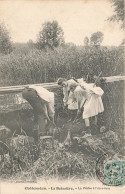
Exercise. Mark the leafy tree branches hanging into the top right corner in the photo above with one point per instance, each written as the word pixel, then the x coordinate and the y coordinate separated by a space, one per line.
pixel 119 12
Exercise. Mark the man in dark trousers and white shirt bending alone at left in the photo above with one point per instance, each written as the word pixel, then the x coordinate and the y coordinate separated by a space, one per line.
pixel 42 102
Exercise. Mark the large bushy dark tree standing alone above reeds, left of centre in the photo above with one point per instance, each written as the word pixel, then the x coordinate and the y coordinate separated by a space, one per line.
pixel 50 36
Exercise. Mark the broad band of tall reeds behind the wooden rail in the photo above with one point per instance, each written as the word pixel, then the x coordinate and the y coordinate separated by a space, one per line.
pixel 28 66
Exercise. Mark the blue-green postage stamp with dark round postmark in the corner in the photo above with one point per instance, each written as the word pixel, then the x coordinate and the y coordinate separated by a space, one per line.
pixel 110 171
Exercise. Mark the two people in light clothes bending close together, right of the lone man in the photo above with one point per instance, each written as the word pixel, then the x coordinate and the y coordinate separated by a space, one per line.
pixel 83 98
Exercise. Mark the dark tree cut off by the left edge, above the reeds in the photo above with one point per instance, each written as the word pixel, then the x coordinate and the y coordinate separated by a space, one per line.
pixel 5 42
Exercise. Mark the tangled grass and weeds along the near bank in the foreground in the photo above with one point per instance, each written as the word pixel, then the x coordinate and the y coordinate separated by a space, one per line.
pixel 51 159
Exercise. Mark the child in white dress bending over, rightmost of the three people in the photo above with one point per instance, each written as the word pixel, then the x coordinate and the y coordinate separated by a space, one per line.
pixel 89 97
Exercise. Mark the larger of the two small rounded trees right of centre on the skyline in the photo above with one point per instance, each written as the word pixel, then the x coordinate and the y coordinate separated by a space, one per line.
pixel 96 38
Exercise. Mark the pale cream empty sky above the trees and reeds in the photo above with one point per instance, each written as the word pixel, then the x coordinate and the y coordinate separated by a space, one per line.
pixel 78 19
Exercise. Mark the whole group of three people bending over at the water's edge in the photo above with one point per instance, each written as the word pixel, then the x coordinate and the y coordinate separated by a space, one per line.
pixel 80 97
